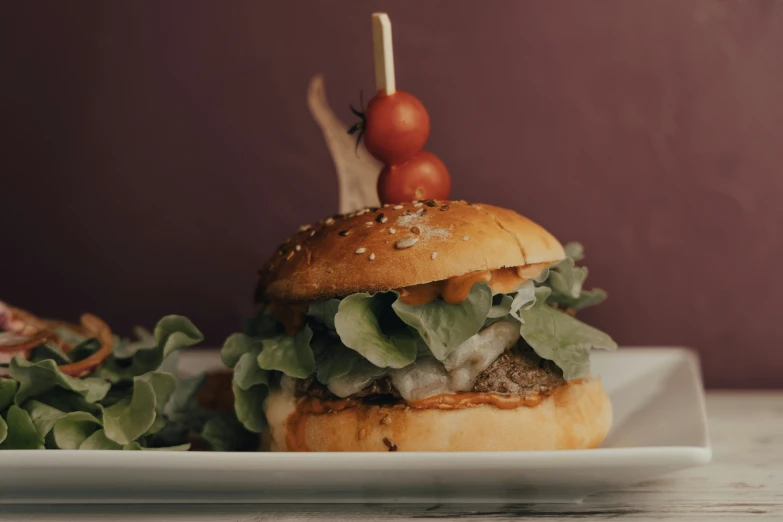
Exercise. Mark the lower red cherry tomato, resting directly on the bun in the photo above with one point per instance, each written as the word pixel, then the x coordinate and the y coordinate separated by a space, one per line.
pixel 424 176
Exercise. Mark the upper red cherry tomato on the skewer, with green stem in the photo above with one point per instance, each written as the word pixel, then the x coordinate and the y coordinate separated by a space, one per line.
pixel 396 127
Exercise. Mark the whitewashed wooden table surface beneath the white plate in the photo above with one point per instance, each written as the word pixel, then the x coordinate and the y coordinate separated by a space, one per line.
pixel 743 482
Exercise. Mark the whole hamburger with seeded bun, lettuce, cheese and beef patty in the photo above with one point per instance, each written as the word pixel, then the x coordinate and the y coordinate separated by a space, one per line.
pixel 421 326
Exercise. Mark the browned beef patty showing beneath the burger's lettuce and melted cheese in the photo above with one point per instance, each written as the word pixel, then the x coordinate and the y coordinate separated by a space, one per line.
pixel 518 371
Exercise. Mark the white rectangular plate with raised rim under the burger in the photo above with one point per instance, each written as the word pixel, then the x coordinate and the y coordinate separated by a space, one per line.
pixel 660 426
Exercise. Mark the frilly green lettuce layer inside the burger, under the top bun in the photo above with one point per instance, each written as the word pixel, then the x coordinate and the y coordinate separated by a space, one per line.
pixel 367 334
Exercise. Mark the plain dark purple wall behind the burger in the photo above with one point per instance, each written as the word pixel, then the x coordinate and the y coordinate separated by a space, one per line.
pixel 153 153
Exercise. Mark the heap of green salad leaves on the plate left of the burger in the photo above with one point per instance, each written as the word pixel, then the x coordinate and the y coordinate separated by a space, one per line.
pixel 134 401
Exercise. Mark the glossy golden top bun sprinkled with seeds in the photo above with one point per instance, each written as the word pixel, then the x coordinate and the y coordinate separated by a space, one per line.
pixel 381 249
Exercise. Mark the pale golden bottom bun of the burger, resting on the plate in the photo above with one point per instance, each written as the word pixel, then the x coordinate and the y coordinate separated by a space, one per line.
pixel 576 416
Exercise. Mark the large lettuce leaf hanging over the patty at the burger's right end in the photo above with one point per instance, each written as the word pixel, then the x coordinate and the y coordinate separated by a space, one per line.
pixel 560 338
